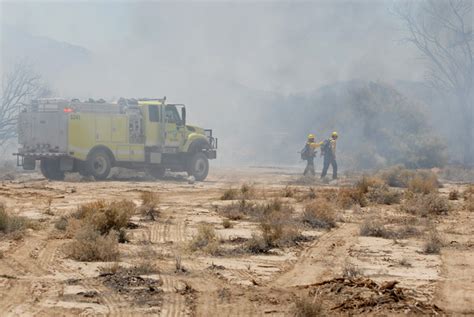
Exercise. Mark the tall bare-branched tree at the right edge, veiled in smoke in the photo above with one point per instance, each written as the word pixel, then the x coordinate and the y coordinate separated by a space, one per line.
pixel 442 31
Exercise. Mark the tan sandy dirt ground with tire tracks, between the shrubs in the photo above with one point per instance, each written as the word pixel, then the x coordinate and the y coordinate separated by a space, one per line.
pixel 38 278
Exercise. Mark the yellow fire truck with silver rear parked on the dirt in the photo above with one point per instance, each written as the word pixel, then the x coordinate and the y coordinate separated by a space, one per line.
pixel 92 137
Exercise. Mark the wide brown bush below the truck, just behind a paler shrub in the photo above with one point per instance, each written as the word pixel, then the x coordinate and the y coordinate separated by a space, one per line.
pixel 104 216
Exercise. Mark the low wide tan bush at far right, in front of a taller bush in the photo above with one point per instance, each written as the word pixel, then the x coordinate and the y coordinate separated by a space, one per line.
pixel 425 205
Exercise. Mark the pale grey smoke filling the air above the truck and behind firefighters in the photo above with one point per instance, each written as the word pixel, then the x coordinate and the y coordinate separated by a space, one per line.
pixel 240 67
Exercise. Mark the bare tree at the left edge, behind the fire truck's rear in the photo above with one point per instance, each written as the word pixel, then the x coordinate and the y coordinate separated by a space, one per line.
pixel 19 86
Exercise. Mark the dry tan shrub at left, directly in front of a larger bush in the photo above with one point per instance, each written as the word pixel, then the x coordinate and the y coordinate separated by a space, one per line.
pixel 90 245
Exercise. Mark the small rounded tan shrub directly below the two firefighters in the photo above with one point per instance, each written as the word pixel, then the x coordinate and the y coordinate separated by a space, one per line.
pixel 319 214
